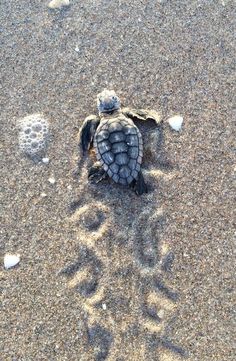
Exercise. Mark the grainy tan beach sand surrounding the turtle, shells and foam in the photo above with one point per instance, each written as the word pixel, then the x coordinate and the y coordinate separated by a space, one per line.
pixel 104 274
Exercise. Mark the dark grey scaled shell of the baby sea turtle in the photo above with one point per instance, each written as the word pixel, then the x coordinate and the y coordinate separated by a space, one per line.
pixel 119 147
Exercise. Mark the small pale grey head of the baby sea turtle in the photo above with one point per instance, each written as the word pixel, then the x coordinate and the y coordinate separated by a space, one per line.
pixel 107 101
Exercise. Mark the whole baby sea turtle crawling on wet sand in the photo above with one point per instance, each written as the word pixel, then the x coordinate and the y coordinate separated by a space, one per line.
pixel 117 141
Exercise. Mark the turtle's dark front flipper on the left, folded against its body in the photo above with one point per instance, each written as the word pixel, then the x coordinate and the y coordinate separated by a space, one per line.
pixel 87 131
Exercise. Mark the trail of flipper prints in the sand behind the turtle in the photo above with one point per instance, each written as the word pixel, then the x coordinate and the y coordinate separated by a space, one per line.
pixel 122 276
